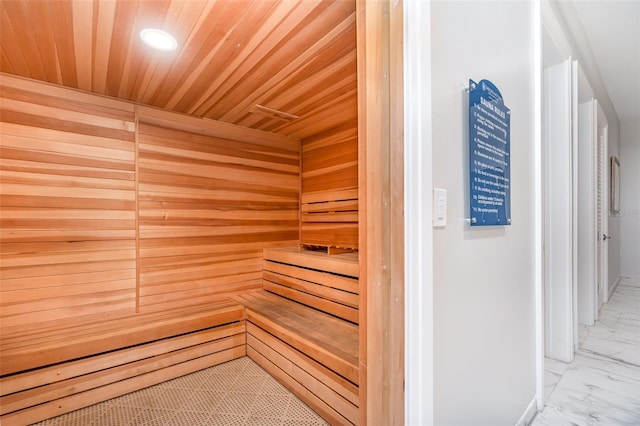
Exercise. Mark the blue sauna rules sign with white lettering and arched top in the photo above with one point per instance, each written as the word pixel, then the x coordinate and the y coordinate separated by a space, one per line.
pixel 489 161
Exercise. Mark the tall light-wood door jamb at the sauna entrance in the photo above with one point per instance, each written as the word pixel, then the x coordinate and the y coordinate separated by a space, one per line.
pixel 381 210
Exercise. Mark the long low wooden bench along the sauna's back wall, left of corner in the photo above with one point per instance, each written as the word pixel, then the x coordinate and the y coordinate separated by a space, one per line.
pixel 57 367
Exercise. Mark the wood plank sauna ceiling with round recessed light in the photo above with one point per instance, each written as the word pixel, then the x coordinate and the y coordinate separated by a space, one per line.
pixel 294 56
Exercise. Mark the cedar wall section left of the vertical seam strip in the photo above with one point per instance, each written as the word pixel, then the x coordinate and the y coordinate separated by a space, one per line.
pixel 67 193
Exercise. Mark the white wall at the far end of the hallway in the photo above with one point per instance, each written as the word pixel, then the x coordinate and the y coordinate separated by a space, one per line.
pixel 630 198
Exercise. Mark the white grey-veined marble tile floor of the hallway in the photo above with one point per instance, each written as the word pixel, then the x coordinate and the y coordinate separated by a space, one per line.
pixel 602 385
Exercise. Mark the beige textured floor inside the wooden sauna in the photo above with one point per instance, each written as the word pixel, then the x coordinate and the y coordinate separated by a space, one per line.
pixel 237 392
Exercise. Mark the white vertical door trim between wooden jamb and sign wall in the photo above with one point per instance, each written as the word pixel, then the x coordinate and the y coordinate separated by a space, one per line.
pixel 418 215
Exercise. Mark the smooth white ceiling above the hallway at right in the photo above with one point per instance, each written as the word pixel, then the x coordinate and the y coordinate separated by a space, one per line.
pixel 613 31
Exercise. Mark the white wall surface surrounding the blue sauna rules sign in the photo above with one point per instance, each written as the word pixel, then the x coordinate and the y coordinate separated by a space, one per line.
pixel 484 292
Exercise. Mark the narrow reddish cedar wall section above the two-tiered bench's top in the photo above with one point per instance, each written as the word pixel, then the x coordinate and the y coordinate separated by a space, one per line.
pixel 329 198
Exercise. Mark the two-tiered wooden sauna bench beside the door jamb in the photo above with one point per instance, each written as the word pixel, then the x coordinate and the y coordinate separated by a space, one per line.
pixel 302 328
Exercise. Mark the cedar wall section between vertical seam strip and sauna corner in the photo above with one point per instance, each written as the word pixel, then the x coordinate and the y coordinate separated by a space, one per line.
pixel 208 205
